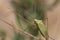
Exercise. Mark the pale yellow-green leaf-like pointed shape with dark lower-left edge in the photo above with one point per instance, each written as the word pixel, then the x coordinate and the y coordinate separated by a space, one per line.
pixel 41 27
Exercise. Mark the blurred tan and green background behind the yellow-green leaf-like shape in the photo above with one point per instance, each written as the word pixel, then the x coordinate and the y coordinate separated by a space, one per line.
pixel 9 9
